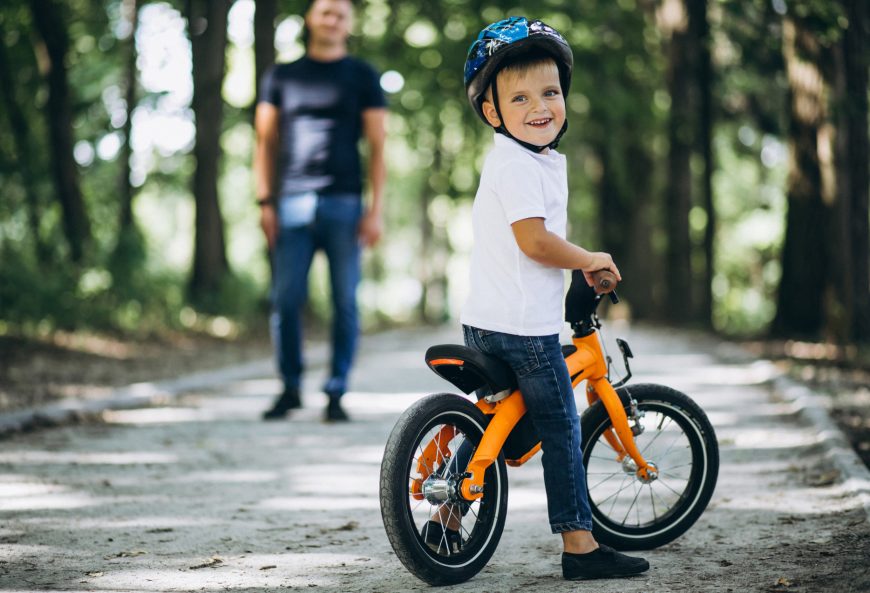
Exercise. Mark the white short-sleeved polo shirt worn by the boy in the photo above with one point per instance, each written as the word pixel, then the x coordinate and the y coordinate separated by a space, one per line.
pixel 510 292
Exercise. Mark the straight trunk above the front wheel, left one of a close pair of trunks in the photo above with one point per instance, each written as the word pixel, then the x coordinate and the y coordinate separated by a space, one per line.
pixel 682 52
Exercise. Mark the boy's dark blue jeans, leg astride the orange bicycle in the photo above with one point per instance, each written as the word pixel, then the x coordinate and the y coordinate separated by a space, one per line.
pixel 546 387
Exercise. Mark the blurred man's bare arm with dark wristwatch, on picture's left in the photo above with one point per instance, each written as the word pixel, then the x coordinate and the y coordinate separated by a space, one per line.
pixel 266 121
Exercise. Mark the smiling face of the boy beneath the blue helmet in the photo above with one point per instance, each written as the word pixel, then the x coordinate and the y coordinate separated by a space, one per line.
pixel 531 102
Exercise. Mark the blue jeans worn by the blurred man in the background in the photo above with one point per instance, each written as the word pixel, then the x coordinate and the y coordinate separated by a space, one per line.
pixel 308 222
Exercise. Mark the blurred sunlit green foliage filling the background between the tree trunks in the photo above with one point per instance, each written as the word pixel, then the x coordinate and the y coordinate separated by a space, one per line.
pixel 618 110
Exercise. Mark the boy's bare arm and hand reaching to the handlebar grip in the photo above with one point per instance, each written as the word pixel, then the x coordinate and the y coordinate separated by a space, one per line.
pixel 549 249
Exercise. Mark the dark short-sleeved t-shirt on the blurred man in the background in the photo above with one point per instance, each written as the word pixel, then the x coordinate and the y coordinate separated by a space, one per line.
pixel 321 107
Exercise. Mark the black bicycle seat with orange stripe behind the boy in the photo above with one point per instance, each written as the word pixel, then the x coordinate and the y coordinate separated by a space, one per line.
pixel 471 370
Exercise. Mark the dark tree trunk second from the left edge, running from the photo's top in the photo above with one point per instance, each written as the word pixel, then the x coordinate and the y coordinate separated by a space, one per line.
pixel 51 26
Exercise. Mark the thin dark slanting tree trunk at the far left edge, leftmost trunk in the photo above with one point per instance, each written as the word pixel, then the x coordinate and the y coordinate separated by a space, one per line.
pixel 21 137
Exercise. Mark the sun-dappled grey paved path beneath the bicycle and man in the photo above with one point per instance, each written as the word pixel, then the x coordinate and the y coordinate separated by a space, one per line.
pixel 200 495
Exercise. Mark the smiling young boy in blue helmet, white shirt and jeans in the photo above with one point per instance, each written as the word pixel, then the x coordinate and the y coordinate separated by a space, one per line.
pixel 516 75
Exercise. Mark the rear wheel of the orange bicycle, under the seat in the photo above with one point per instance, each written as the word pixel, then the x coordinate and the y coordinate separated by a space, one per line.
pixel 482 521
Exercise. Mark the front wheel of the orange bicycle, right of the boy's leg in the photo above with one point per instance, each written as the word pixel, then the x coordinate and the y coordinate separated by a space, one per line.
pixel 628 514
